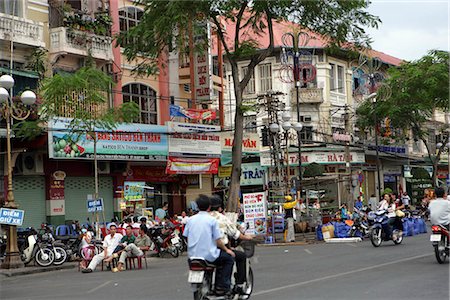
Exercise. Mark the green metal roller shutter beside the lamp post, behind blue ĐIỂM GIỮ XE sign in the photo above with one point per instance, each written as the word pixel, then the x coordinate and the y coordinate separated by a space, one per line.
pixel 29 193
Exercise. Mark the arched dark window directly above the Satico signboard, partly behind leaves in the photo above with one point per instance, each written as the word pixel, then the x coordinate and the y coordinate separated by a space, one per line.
pixel 145 97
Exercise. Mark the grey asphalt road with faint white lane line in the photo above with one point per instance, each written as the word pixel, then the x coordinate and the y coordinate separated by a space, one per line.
pixel 322 271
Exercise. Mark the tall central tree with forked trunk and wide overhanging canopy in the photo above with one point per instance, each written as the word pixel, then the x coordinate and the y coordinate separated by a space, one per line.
pixel 166 25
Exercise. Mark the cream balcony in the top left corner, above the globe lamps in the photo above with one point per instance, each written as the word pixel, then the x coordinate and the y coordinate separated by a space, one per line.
pixel 23 31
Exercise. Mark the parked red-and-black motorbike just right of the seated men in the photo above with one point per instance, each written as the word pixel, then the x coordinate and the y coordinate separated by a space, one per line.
pixel 165 240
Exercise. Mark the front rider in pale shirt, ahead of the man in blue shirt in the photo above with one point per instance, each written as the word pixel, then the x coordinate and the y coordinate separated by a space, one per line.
pixel 230 230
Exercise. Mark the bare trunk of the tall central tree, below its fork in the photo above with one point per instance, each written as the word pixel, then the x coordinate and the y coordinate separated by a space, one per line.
pixel 233 194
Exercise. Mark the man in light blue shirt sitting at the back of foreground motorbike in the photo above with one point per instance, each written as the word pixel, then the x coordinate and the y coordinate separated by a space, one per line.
pixel 204 240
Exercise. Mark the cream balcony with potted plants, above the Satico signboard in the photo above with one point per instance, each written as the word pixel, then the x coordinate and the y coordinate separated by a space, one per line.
pixel 69 41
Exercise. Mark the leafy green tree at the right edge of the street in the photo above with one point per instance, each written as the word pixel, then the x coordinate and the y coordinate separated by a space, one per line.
pixel 417 90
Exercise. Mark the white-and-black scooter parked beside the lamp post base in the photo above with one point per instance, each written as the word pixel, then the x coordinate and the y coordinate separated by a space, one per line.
pixel 31 247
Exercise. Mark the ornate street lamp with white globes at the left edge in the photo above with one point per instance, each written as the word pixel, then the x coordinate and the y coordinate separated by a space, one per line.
pixel 18 111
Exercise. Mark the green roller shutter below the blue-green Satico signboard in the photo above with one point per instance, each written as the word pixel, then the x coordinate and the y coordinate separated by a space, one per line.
pixel 76 191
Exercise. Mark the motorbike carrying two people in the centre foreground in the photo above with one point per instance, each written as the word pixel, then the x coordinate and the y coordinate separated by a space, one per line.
pixel 202 276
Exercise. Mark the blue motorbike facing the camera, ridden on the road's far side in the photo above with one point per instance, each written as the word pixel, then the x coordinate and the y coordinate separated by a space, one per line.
pixel 380 230
